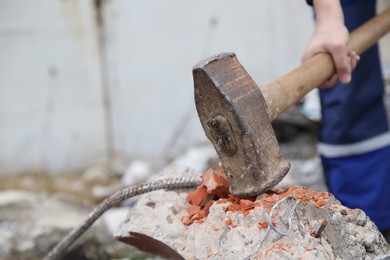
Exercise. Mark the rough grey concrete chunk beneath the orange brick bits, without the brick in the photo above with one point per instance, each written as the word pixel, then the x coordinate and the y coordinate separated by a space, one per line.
pixel 232 235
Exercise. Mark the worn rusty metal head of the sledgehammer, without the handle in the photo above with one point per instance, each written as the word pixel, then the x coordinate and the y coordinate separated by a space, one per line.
pixel 234 116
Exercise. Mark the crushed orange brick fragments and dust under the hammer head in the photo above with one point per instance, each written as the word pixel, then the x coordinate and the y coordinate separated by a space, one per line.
pixel 215 189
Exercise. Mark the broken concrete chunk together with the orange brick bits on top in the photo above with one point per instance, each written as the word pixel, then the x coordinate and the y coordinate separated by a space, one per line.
pixel 211 223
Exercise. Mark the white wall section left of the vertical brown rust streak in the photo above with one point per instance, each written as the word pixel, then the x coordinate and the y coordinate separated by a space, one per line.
pixel 51 113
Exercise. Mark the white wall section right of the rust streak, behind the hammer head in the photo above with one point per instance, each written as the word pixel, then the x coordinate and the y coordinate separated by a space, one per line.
pixel 153 45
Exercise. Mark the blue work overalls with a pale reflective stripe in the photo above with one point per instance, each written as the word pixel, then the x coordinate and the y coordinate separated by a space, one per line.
pixel 354 141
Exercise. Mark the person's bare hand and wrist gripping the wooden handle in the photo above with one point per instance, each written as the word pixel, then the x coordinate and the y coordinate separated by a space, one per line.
pixel 331 35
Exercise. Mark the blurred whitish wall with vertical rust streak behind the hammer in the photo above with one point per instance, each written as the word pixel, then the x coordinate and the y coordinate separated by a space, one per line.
pixel 109 81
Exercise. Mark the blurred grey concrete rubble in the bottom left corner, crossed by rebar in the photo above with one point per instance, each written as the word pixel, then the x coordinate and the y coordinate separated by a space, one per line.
pixel 31 224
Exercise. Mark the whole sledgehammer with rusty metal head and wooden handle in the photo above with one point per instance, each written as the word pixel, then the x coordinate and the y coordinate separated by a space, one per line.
pixel 236 115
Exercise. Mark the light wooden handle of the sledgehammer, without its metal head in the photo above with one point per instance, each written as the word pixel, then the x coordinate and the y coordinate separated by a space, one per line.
pixel 292 87
